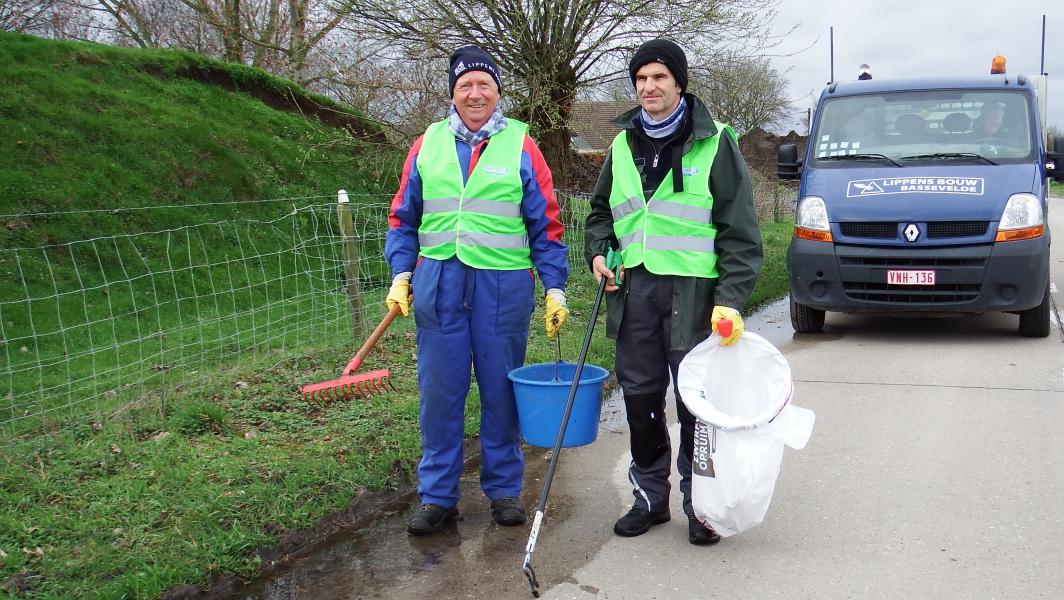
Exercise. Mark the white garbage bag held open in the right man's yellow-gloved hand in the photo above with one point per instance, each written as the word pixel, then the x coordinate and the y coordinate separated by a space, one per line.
pixel 741 395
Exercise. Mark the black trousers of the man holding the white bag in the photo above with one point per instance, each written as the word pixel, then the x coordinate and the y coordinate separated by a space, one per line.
pixel 644 363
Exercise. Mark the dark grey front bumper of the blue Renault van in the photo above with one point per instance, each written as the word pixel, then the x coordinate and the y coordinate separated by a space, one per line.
pixel 1007 277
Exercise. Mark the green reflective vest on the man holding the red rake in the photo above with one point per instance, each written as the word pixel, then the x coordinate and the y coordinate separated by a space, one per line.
pixel 479 221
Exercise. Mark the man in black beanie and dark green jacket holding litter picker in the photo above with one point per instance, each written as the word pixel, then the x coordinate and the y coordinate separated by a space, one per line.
pixel 674 199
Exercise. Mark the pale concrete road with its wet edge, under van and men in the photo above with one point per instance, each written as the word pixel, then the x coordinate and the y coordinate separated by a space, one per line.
pixel 936 471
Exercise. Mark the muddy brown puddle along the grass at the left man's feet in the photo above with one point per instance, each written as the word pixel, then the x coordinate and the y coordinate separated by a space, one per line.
pixel 471 558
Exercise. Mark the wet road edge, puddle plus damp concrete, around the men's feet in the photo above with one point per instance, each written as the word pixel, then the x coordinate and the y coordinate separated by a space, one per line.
pixel 472 558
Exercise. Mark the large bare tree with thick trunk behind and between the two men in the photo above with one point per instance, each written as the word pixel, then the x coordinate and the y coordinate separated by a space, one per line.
pixel 548 51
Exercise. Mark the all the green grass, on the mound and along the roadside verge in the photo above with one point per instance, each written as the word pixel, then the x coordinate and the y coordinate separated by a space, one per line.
pixel 214 452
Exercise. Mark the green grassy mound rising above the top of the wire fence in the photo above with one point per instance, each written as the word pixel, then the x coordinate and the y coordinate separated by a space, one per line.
pixel 89 127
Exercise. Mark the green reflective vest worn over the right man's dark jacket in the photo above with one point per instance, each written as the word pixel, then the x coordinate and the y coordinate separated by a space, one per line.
pixel 673 234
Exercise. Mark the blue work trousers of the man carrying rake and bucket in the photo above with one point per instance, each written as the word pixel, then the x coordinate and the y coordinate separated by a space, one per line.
pixel 470 318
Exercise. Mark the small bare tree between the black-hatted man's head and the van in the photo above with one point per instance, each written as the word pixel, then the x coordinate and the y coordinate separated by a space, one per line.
pixel 744 93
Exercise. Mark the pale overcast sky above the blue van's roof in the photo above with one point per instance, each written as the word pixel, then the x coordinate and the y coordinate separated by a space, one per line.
pixel 918 39
